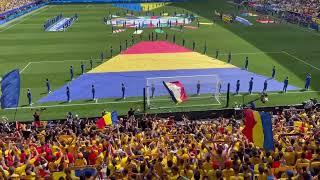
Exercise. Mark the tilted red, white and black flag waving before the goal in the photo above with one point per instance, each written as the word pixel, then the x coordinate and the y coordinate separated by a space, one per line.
pixel 176 90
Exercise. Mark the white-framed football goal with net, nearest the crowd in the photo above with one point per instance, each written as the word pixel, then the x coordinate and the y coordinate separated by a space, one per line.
pixel 202 90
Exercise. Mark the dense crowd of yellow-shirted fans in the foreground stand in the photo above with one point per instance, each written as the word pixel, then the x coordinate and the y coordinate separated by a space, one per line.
pixel 160 148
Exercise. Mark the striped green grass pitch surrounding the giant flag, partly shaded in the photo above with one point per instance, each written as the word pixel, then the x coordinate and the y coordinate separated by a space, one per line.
pixel 40 55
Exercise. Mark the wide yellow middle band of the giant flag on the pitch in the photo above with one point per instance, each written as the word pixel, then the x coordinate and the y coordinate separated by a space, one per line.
pixel 159 61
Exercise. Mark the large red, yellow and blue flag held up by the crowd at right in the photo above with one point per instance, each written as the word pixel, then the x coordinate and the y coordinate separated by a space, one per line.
pixel 258 129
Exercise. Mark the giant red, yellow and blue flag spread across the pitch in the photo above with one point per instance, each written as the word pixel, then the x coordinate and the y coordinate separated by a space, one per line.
pixel 154 59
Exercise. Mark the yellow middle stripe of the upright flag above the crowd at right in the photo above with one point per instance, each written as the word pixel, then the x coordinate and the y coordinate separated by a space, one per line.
pixel 257 132
